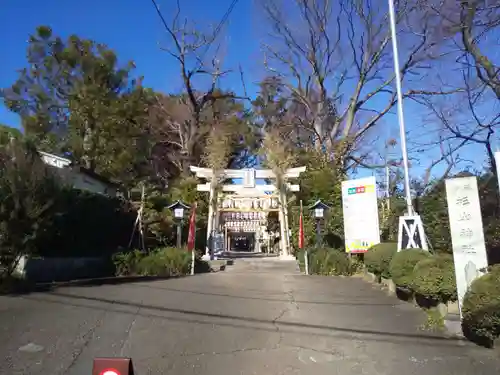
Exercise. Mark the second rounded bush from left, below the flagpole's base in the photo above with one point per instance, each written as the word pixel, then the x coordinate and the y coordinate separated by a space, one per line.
pixel 402 265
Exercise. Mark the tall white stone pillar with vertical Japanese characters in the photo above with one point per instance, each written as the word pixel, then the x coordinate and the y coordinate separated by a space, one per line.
pixel 466 226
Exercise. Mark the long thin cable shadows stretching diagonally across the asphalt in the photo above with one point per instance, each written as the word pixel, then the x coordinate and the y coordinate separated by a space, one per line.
pixel 272 325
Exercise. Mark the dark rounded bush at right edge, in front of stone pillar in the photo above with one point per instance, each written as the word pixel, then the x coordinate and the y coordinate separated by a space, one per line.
pixel 481 308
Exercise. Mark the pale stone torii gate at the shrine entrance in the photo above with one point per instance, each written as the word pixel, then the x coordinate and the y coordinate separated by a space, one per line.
pixel 249 177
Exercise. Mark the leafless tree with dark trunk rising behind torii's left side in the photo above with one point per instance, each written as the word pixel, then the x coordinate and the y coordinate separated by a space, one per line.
pixel 183 122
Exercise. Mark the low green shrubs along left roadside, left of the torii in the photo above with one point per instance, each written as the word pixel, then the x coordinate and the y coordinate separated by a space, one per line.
pixel 165 262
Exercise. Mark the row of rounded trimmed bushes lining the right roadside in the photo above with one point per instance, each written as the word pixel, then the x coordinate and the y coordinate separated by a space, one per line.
pixel 433 277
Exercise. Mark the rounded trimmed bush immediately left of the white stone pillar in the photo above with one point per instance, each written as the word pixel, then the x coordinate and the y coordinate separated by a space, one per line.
pixel 434 278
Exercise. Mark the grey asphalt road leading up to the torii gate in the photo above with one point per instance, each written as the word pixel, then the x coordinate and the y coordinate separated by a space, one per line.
pixel 258 317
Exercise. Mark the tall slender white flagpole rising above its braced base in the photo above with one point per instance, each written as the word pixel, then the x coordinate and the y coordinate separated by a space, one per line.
pixel 402 130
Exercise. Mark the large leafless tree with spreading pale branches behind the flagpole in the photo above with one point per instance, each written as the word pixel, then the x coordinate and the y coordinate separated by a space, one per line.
pixel 336 65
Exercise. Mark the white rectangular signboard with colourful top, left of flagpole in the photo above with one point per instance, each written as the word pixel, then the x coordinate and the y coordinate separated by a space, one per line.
pixel 361 226
